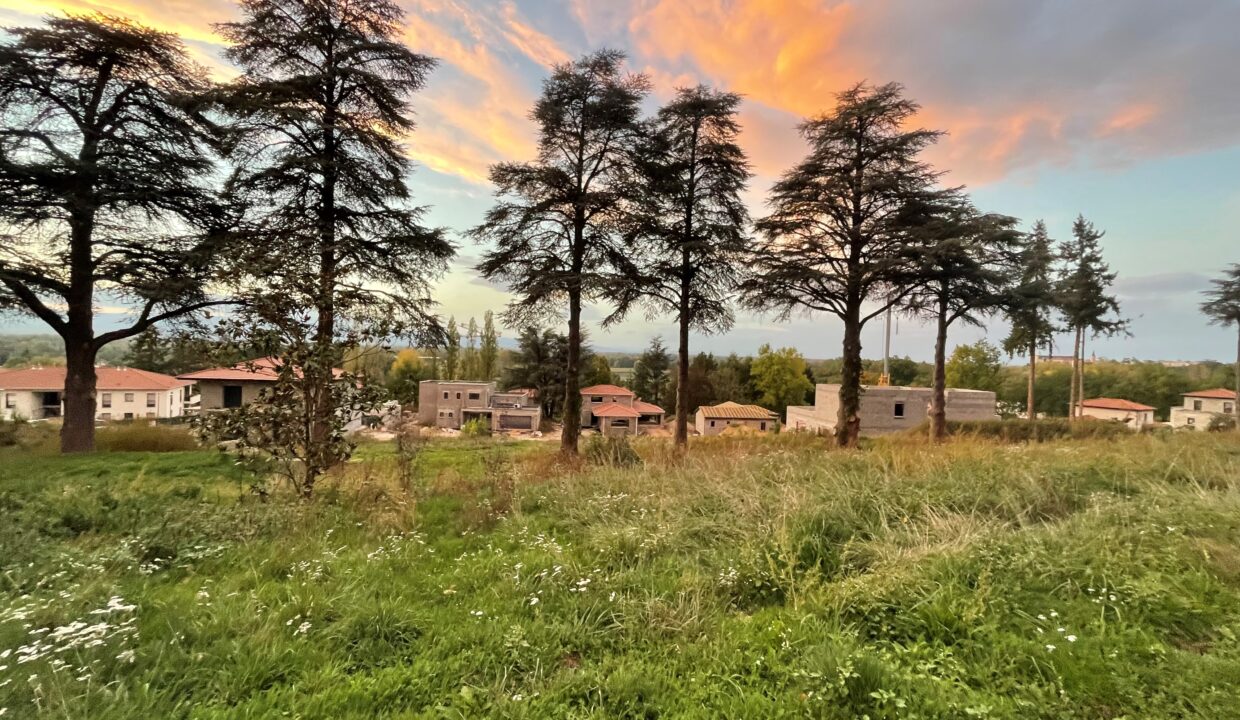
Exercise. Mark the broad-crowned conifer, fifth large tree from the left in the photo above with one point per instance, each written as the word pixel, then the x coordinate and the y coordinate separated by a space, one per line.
pixel 838 240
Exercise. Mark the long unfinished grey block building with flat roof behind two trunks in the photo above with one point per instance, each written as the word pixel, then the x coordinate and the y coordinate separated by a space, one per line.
pixel 890 408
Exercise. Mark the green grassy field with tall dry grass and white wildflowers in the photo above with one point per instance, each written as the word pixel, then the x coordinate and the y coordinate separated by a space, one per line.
pixel 757 578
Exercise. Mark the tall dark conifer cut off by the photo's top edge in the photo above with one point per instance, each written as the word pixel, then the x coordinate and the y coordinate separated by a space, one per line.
pixel 317 121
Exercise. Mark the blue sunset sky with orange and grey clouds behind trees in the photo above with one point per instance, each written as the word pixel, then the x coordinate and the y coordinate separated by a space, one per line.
pixel 1124 111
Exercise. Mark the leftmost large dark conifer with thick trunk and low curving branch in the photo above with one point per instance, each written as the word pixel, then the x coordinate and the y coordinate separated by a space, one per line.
pixel 104 169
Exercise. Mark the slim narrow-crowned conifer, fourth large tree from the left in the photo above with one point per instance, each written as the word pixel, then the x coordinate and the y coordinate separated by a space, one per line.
pixel 694 220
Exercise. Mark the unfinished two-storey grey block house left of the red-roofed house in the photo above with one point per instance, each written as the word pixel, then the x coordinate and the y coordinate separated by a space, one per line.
pixel 453 403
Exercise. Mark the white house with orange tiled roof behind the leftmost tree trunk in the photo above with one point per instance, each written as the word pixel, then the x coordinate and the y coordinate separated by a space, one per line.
pixel 121 395
